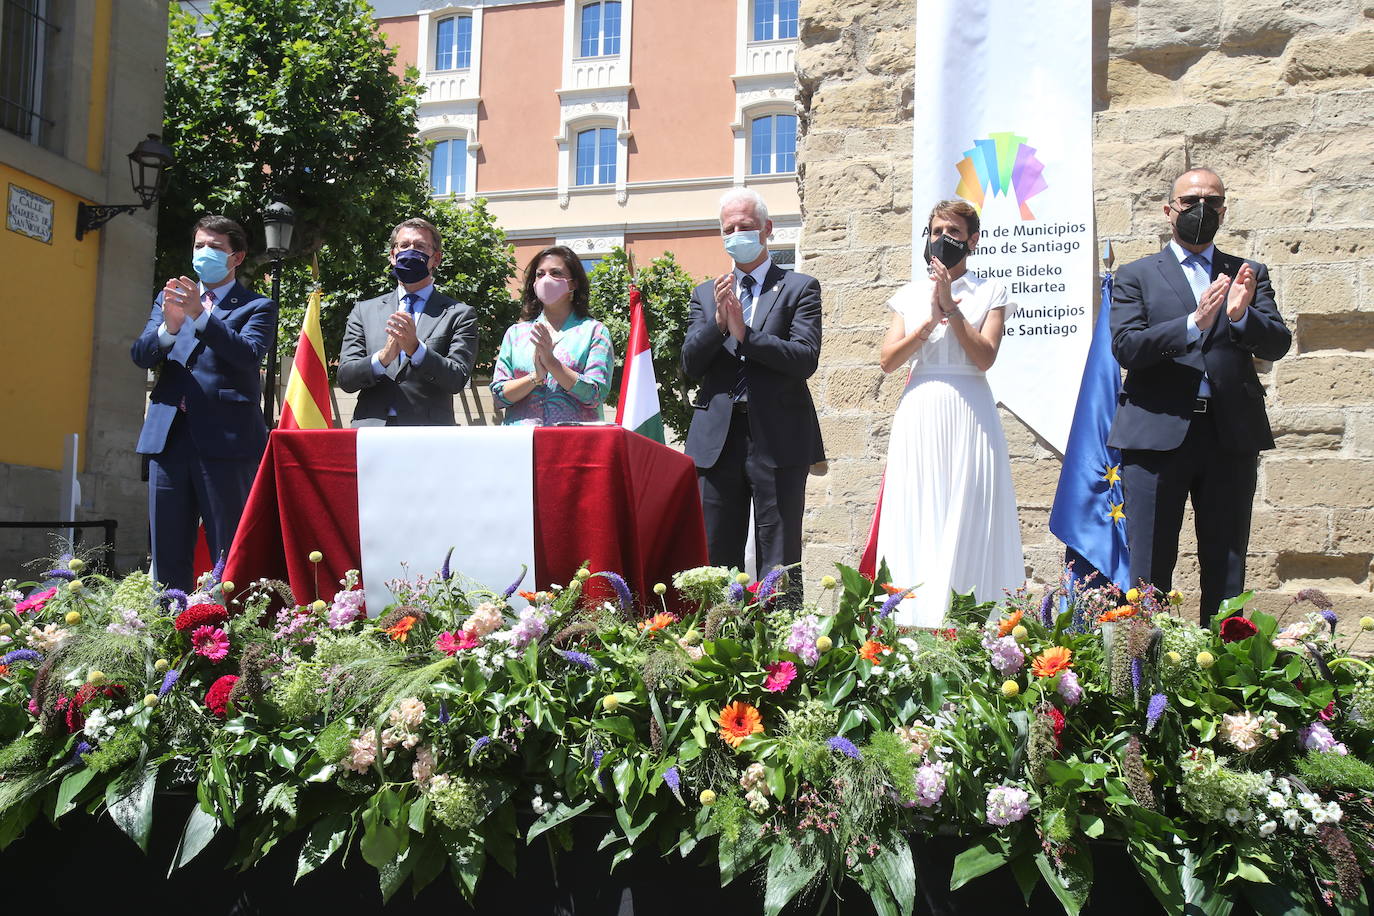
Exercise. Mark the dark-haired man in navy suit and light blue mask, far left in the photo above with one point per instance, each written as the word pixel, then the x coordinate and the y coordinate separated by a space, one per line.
pixel 204 433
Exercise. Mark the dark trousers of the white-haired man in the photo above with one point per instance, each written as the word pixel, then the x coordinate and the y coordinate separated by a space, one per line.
pixel 778 495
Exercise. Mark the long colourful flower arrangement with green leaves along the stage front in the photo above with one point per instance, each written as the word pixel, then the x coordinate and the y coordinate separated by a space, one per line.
pixel 804 745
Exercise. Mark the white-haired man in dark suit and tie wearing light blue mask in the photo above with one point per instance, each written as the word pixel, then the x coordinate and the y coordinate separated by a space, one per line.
pixel 754 340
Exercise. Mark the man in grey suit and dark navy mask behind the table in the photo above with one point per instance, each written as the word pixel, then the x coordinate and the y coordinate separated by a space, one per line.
pixel 412 351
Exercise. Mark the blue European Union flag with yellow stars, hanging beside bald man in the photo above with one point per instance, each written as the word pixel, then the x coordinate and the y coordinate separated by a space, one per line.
pixel 1089 513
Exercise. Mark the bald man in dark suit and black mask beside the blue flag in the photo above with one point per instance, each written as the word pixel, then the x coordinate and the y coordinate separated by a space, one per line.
pixel 1188 325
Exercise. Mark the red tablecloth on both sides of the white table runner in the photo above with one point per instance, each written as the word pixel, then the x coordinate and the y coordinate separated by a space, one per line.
pixel 602 495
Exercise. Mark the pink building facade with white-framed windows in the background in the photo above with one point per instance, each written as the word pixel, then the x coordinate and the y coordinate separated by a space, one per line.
pixel 609 123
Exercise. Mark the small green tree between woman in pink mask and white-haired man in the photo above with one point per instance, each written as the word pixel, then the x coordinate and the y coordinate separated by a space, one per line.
pixel 666 290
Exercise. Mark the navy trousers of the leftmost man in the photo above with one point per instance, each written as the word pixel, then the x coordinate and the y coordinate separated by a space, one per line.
pixel 183 490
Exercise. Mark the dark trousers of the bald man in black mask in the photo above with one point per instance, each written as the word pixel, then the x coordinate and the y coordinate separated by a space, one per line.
pixel 1222 487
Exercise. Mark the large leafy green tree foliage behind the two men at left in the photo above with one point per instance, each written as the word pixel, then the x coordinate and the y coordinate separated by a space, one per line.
pixel 299 102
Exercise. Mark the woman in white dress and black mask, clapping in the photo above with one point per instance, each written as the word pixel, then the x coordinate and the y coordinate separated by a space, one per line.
pixel 949 516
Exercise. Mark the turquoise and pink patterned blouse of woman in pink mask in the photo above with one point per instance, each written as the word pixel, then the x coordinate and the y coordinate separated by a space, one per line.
pixel 583 345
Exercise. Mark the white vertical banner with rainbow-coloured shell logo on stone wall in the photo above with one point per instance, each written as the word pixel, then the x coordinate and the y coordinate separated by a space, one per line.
pixel 1004 119
